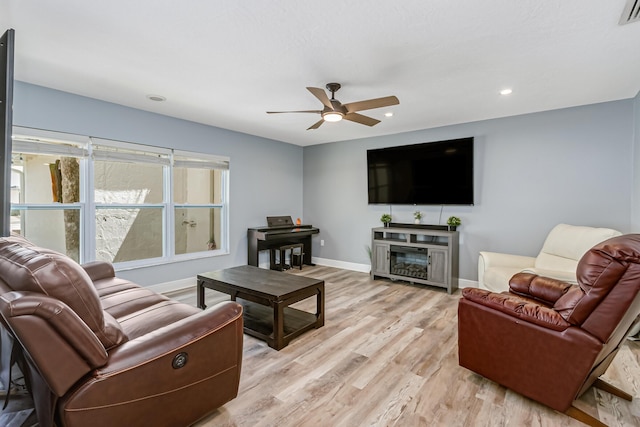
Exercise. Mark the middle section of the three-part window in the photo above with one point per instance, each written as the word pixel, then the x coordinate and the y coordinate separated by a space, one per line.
pixel 129 201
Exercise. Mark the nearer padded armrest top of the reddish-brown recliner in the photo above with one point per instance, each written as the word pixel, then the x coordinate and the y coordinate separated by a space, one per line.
pixel 514 306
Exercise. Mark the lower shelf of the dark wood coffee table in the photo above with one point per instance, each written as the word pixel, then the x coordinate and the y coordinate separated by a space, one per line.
pixel 258 322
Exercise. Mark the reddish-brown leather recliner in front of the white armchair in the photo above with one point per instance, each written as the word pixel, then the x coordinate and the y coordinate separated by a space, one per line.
pixel 550 340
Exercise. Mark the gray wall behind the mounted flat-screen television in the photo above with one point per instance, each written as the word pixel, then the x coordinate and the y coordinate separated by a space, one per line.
pixel 532 172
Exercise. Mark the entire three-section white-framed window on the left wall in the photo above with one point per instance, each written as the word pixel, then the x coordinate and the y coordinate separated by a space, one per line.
pixel 129 204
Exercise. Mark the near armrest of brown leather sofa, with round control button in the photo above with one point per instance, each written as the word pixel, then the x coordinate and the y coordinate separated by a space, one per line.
pixel 175 360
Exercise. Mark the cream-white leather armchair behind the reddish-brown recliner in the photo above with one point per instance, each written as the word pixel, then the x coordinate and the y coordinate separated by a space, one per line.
pixel 562 249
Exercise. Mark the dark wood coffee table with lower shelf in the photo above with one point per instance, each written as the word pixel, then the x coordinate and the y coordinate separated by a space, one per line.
pixel 266 296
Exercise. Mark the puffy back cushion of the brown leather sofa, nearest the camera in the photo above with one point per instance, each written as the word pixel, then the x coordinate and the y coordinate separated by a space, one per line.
pixel 25 267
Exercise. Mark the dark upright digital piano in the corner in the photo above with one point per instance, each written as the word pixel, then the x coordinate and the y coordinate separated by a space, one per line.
pixel 280 230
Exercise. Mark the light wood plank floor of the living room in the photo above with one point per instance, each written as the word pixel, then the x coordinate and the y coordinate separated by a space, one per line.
pixel 388 356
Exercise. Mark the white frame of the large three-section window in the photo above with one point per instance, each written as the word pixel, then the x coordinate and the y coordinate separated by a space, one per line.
pixel 88 206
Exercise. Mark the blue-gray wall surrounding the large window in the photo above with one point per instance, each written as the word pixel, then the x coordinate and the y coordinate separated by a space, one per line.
pixel 265 175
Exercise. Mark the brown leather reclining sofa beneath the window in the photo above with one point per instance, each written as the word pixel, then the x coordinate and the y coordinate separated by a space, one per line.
pixel 102 351
